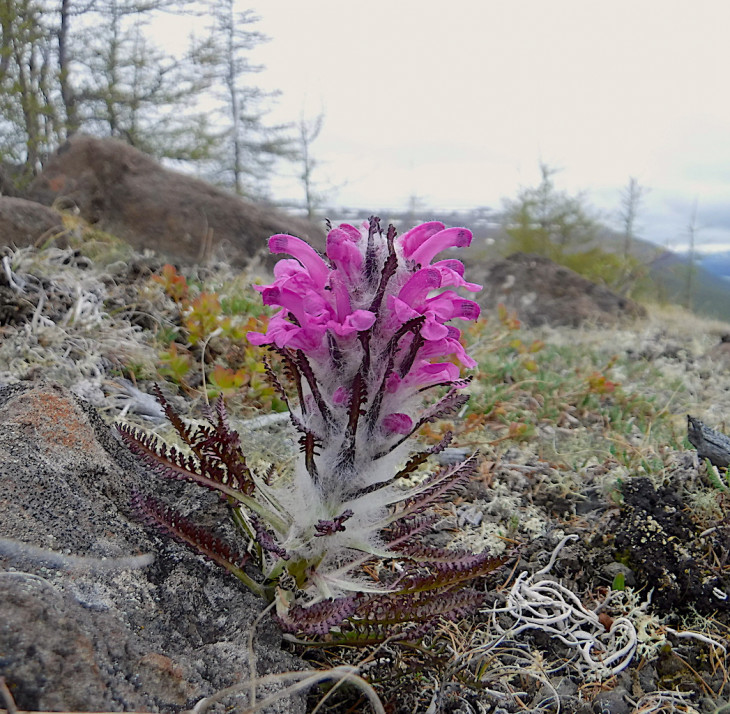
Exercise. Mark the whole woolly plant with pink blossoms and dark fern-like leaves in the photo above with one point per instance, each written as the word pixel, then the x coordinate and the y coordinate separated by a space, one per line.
pixel 363 334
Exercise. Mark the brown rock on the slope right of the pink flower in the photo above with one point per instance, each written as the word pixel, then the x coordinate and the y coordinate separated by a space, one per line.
pixel 545 293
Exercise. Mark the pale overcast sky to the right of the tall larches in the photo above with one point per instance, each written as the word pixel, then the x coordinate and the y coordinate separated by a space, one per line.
pixel 458 101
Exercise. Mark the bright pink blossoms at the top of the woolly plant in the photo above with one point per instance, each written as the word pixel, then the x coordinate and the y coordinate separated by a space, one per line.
pixel 374 284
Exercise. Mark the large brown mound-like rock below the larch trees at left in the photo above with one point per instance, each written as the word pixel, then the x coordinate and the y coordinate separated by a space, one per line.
pixel 129 194
